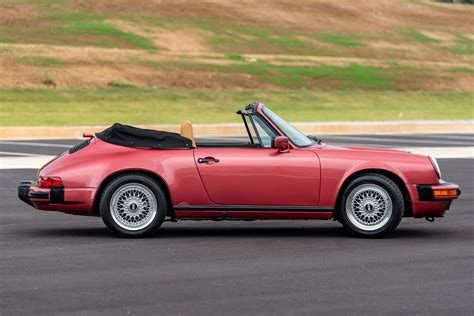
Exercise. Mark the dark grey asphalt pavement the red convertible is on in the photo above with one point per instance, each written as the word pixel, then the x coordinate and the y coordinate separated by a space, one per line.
pixel 53 263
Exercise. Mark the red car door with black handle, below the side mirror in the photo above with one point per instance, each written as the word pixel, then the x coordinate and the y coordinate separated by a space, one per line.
pixel 259 176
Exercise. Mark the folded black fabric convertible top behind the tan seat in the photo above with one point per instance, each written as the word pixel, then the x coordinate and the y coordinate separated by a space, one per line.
pixel 130 136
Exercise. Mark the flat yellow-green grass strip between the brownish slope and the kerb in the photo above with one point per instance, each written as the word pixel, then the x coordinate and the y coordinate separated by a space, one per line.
pixel 24 107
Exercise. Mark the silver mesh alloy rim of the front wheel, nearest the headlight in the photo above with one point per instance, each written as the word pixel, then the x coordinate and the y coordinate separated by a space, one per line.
pixel 369 207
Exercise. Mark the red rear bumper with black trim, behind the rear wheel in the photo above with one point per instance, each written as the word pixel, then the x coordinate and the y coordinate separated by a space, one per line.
pixel 68 200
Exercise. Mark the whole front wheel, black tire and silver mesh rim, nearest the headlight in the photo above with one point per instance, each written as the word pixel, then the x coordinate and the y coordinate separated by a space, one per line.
pixel 365 201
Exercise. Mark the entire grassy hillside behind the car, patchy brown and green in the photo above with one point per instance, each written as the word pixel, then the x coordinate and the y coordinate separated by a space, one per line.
pixel 79 62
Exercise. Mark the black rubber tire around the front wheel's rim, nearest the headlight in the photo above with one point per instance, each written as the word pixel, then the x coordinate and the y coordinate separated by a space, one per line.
pixel 396 196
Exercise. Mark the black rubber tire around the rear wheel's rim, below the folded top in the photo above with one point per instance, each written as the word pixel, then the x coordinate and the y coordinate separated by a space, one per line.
pixel 106 212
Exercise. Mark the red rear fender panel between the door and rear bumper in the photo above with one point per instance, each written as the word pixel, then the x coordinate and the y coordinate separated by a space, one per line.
pixel 92 168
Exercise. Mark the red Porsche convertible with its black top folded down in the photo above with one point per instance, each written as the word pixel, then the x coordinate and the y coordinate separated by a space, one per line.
pixel 135 179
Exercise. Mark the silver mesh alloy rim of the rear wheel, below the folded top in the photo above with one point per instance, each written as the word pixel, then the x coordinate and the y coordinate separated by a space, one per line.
pixel 133 206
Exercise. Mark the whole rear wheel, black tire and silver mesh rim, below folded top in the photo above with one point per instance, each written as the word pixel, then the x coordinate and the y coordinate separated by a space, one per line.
pixel 152 194
